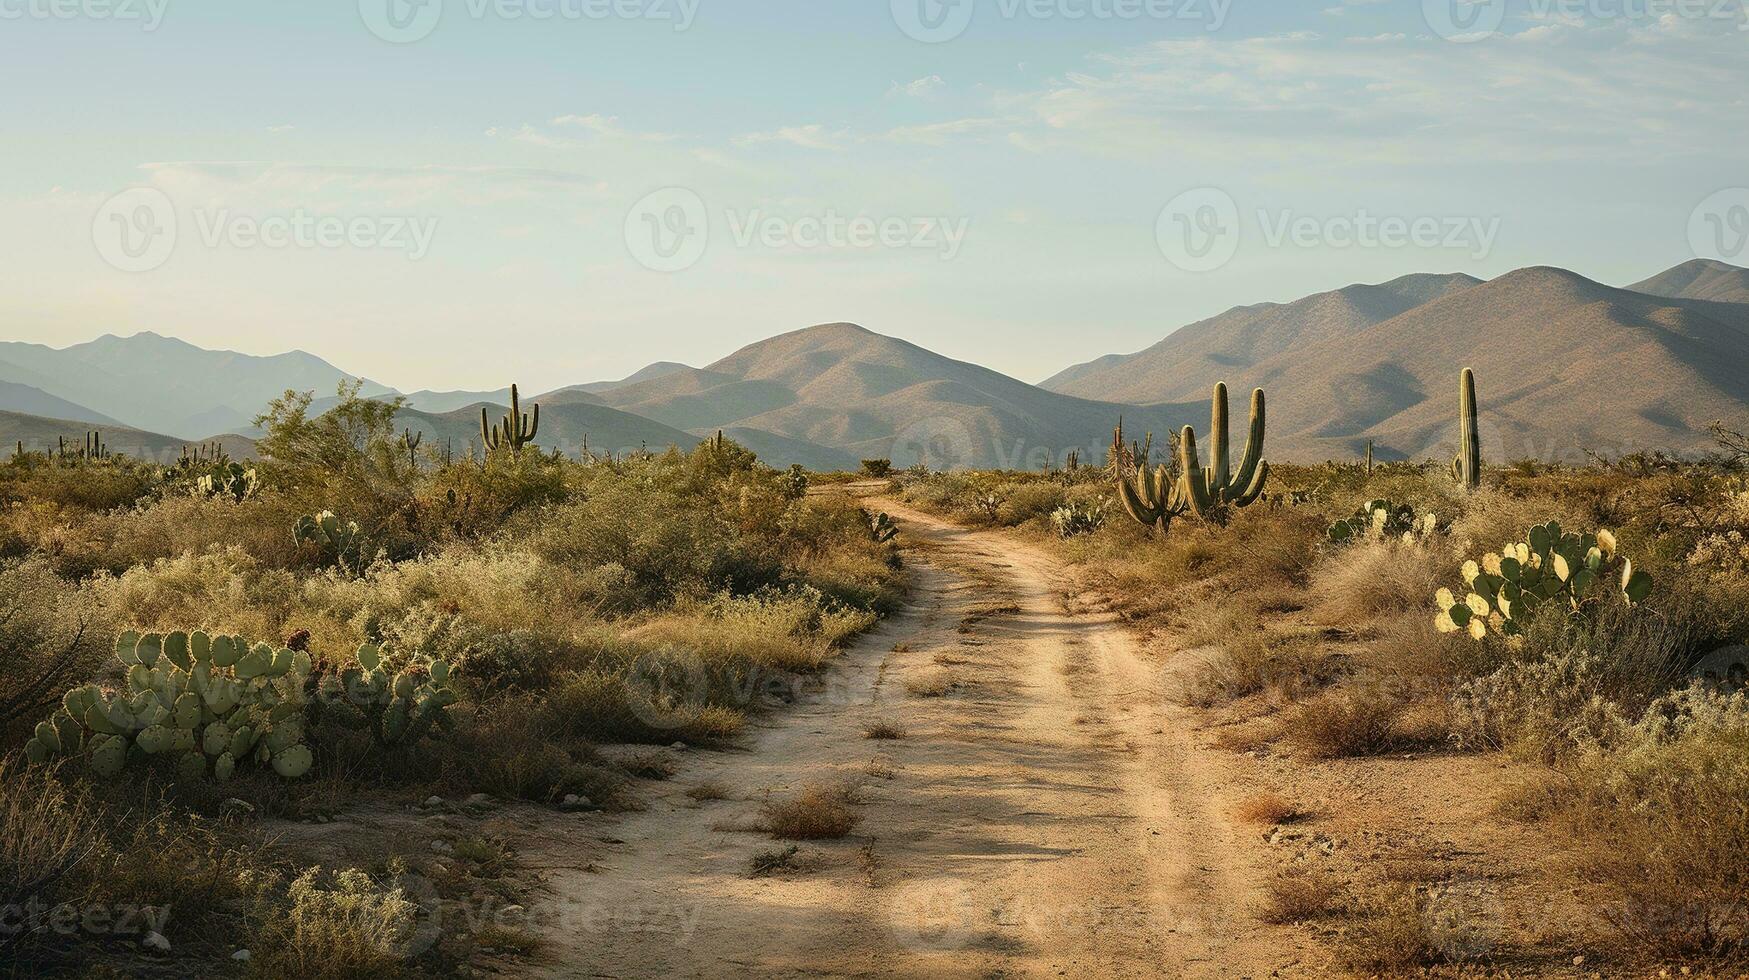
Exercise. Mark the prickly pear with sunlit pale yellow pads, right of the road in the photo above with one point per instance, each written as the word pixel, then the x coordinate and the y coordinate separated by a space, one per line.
pixel 1549 566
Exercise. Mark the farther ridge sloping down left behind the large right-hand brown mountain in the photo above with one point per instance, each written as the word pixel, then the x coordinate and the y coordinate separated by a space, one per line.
pixel 1192 360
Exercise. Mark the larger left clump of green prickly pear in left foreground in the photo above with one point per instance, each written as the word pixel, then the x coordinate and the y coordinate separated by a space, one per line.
pixel 190 699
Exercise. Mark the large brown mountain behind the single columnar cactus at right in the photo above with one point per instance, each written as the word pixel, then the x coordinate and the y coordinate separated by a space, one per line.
pixel 1563 365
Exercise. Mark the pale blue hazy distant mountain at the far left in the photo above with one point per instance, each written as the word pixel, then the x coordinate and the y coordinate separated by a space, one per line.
pixel 169 386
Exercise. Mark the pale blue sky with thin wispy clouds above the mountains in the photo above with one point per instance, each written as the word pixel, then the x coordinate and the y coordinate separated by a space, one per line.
pixel 468 193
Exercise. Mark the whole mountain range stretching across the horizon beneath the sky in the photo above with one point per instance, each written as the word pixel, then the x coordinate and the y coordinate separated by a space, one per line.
pixel 1564 365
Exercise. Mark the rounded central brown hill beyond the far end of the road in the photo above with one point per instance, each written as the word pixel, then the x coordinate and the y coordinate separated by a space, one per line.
pixel 867 395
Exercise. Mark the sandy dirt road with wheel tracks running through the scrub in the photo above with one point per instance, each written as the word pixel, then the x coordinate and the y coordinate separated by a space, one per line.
pixel 1045 815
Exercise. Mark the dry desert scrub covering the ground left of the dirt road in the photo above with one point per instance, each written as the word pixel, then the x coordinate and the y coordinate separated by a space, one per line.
pixel 192 650
